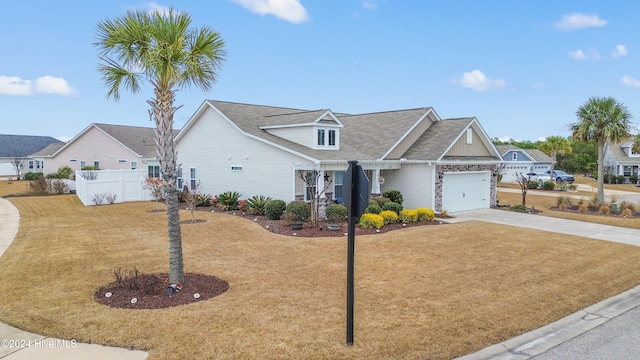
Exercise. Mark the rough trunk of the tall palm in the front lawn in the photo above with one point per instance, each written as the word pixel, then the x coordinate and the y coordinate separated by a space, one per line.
pixel 163 113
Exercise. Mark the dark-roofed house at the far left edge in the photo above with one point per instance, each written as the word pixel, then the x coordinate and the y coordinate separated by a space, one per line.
pixel 15 149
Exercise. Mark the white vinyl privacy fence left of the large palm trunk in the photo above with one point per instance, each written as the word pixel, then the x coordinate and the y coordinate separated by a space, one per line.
pixel 111 186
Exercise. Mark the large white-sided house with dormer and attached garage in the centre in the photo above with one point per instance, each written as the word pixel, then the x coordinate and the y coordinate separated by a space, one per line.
pixel 264 150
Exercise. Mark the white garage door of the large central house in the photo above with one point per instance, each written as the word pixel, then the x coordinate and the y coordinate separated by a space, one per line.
pixel 465 191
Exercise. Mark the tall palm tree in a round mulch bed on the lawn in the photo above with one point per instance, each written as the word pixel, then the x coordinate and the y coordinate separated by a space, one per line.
pixel 162 49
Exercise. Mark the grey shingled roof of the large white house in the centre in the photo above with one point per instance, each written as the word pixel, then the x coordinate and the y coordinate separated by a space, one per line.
pixel 369 136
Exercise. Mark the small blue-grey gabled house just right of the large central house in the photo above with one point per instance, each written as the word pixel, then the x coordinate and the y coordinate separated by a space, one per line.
pixel 523 161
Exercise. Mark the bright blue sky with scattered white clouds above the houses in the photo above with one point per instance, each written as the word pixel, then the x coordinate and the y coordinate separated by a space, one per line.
pixel 521 67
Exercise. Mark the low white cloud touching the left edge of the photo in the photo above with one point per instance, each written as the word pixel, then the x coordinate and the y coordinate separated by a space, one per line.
pixel 13 85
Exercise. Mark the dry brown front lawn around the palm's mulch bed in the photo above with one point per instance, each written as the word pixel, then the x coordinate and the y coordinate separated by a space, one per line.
pixel 433 292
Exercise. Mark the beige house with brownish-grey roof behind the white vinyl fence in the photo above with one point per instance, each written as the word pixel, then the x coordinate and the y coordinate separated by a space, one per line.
pixel 105 146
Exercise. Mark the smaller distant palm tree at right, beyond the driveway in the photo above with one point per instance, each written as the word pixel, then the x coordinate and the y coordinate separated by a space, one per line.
pixel 603 120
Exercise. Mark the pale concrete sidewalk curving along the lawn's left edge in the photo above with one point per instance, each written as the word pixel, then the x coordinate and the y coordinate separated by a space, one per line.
pixel 16 344
